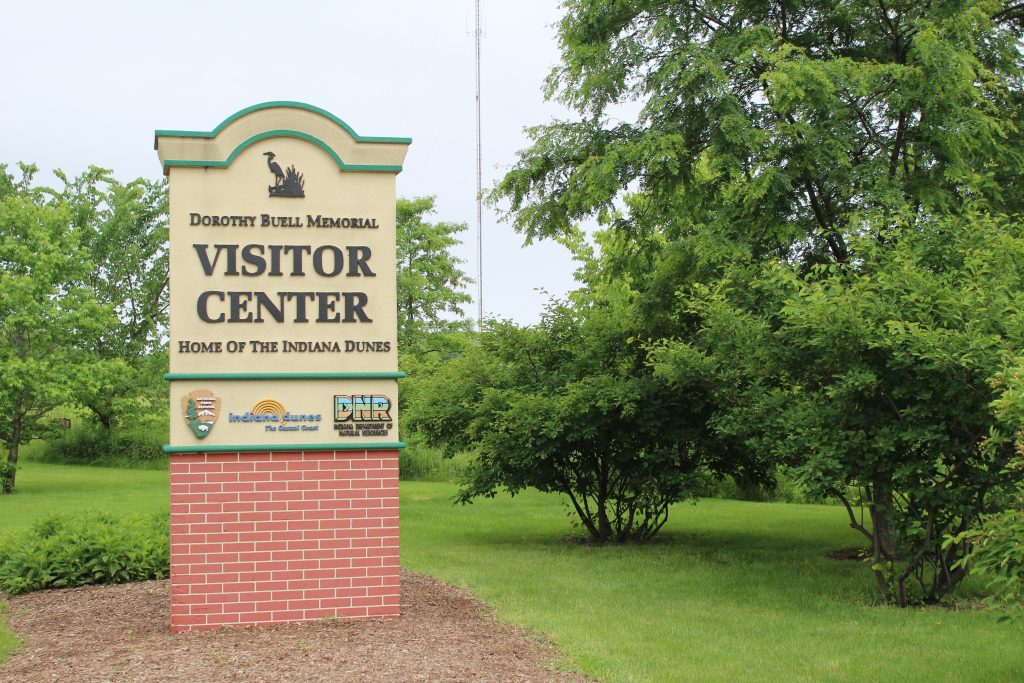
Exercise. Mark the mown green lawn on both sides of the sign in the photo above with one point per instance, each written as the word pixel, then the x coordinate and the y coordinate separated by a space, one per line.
pixel 732 592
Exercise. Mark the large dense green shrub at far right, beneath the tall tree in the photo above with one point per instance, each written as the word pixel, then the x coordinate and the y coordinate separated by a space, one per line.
pixel 876 385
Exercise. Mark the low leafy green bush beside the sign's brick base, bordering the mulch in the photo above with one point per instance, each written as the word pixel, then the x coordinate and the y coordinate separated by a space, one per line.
pixel 91 548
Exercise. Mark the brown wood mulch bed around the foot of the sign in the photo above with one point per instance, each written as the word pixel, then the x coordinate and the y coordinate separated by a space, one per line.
pixel 120 633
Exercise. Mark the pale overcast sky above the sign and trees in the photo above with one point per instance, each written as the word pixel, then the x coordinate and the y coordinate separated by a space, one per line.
pixel 89 83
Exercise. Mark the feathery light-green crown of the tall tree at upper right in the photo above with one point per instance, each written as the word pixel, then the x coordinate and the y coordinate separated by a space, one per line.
pixel 775 124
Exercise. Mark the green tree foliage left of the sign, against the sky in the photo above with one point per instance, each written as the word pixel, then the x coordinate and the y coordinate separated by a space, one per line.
pixel 83 297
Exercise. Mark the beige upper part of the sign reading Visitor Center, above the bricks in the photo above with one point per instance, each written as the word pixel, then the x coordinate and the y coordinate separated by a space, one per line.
pixel 283 274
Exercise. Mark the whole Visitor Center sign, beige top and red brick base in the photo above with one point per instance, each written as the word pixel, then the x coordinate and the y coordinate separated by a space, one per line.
pixel 283 369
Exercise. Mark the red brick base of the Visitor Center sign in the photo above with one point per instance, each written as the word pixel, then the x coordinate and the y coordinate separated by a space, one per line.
pixel 266 538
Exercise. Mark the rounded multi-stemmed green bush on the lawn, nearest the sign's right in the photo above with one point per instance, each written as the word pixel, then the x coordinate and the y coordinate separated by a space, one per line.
pixel 570 406
